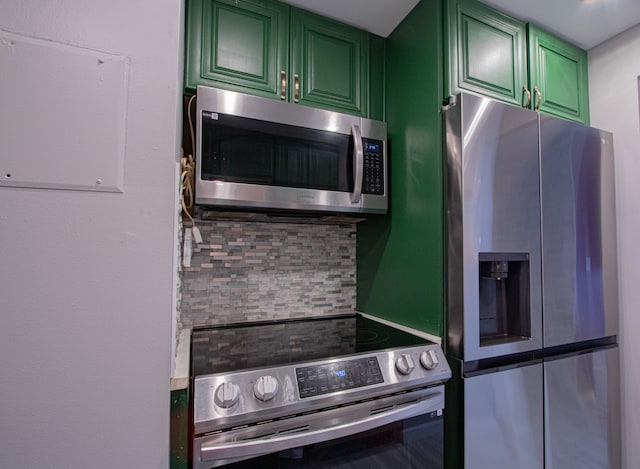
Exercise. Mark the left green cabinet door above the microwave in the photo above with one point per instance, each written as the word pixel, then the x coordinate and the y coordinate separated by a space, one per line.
pixel 241 46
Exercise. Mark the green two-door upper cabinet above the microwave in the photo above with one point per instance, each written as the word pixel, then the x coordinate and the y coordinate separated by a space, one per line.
pixel 269 49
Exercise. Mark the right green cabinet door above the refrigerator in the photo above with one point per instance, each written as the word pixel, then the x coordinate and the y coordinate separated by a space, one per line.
pixel 558 71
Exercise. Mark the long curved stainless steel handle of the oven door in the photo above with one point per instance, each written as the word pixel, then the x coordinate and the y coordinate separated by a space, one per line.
pixel 250 448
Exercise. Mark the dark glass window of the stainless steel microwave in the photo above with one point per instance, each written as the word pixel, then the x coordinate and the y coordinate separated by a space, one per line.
pixel 236 149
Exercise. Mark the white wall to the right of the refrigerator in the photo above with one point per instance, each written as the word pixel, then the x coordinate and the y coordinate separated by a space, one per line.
pixel 614 68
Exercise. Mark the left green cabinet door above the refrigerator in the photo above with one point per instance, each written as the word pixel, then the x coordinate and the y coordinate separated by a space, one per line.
pixel 487 52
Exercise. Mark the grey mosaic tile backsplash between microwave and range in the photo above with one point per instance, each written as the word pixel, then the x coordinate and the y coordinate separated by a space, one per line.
pixel 252 271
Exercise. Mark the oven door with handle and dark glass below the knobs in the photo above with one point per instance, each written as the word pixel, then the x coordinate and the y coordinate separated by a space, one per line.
pixel 405 430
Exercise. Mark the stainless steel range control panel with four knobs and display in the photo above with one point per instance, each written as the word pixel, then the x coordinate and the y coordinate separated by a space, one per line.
pixel 258 395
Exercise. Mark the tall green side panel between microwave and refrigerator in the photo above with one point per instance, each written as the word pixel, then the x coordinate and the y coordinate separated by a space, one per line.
pixel 400 254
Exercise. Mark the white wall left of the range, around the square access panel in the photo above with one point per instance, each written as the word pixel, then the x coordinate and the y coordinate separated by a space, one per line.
pixel 86 278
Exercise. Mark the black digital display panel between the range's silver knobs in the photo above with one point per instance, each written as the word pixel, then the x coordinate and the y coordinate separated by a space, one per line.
pixel 338 376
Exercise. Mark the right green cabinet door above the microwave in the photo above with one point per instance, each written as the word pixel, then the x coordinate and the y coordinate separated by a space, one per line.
pixel 329 63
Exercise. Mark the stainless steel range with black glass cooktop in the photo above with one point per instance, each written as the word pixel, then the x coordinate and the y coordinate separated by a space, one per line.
pixel 342 391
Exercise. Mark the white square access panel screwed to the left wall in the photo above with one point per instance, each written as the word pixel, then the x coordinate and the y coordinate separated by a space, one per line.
pixel 83 151
